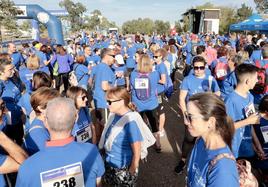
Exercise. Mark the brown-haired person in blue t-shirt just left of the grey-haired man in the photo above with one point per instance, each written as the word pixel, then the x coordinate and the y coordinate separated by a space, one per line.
pixel 37 134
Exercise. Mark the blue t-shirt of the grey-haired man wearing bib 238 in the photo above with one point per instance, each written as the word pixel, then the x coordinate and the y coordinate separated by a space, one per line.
pixel 57 158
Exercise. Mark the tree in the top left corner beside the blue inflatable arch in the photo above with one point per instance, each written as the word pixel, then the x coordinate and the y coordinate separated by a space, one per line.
pixel 8 13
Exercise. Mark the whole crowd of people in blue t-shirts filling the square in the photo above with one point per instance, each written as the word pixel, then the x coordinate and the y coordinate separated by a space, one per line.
pixel 84 114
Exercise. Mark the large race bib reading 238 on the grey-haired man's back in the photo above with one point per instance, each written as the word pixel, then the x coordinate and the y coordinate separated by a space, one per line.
pixel 66 176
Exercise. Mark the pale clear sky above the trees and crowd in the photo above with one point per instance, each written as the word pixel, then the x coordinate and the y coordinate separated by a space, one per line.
pixel 120 11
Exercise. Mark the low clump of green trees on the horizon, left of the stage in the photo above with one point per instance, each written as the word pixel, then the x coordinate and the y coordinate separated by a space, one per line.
pixel 146 26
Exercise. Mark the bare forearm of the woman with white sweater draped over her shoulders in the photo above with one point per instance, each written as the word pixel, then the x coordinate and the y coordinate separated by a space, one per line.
pixel 136 149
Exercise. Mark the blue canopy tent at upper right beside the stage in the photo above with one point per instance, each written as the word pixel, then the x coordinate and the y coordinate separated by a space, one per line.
pixel 253 23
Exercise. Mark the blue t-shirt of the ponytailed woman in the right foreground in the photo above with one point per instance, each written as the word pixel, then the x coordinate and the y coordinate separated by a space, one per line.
pixel 224 173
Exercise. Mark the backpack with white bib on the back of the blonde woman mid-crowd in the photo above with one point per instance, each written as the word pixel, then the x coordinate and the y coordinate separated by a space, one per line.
pixel 142 86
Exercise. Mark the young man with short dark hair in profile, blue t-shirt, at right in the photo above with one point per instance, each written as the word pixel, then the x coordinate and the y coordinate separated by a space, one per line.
pixel 240 107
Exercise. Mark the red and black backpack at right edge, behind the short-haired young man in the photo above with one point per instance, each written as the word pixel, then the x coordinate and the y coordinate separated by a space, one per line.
pixel 261 85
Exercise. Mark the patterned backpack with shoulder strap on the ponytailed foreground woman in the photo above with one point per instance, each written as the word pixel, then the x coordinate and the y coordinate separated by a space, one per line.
pixel 246 177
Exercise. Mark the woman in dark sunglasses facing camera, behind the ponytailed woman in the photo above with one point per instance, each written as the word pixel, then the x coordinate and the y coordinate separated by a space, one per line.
pixel 197 82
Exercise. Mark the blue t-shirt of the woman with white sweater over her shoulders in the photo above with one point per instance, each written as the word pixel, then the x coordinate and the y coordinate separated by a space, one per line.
pixel 121 152
